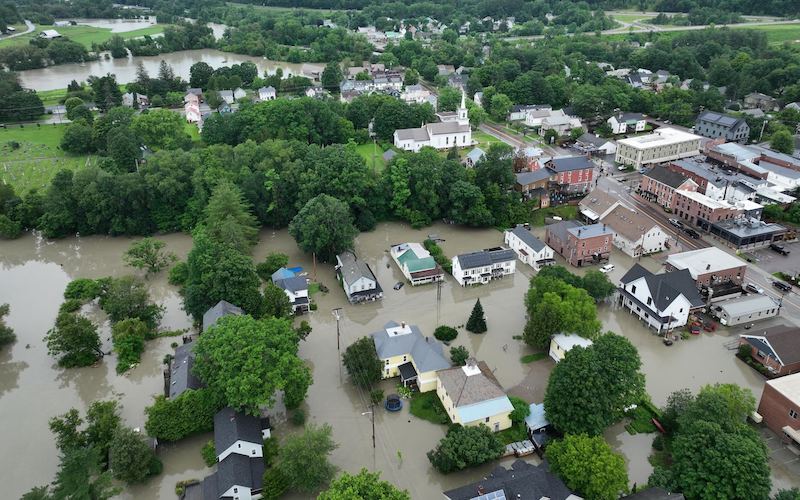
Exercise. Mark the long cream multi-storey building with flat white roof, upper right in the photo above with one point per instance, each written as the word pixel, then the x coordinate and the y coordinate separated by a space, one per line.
pixel 663 145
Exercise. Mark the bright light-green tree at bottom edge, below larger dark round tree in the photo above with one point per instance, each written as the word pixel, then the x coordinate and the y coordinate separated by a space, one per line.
pixel 589 466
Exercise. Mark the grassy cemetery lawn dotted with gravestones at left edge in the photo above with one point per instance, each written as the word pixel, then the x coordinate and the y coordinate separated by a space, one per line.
pixel 38 157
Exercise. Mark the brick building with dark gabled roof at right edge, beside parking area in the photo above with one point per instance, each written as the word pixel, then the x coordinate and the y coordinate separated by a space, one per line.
pixel 777 348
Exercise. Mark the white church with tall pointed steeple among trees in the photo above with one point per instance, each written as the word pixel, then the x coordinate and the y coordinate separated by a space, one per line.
pixel 453 130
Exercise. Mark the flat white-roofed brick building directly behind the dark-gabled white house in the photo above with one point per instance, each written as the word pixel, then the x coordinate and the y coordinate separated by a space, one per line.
pixel 709 266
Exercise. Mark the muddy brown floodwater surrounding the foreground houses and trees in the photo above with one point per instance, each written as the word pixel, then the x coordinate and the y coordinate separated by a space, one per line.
pixel 33 274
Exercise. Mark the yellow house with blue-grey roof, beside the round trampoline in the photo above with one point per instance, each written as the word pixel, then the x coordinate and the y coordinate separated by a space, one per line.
pixel 405 352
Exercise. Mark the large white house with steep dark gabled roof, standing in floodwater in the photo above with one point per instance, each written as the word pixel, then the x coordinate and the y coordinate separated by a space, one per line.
pixel 662 301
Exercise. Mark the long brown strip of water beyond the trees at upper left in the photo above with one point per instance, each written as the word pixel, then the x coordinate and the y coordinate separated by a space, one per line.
pixel 59 76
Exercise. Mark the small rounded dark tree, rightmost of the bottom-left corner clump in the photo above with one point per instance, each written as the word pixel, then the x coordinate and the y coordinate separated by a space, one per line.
pixel 130 459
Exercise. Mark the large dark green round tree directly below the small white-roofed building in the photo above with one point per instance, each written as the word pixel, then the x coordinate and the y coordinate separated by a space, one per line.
pixel 588 389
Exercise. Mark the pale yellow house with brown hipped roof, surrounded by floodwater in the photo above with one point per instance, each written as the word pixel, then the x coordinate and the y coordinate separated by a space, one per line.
pixel 471 395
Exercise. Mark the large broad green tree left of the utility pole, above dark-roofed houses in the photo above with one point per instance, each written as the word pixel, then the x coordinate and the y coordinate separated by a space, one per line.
pixel 248 360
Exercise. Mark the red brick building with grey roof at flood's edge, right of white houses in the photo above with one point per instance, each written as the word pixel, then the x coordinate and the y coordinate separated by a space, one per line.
pixel 580 245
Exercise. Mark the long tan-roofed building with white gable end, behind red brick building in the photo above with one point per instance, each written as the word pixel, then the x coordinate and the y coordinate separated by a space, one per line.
pixel 634 233
